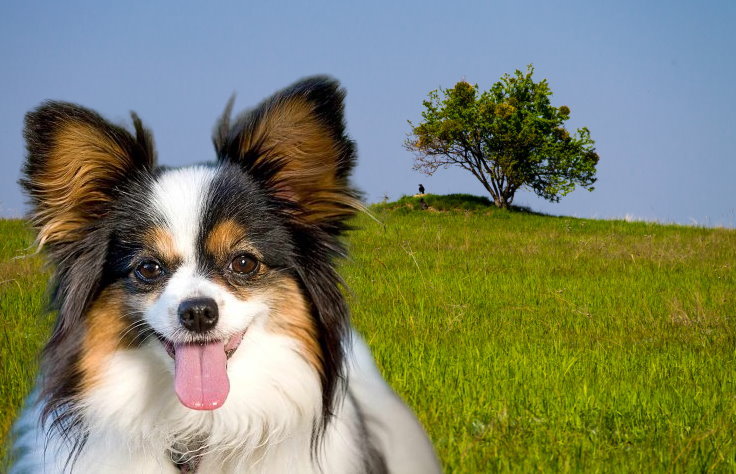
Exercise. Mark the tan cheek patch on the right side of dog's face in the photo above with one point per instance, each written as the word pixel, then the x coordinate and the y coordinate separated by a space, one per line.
pixel 291 317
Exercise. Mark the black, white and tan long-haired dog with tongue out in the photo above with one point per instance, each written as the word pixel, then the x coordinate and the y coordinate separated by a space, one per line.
pixel 201 324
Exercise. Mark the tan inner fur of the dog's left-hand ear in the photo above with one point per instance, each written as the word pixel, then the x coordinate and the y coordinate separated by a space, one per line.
pixel 82 160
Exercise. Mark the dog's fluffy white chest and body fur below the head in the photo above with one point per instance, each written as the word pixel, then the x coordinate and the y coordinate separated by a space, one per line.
pixel 136 420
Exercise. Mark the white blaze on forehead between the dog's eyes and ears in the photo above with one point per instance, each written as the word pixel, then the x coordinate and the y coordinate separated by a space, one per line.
pixel 178 196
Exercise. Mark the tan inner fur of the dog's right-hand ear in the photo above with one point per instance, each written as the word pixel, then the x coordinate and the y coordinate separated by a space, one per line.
pixel 291 132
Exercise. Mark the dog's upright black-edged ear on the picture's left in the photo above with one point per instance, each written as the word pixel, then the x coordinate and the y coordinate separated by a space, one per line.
pixel 75 166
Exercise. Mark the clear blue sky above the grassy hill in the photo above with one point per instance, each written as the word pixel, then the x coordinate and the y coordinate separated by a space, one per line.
pixel 654 82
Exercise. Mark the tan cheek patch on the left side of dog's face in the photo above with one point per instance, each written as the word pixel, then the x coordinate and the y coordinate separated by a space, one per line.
pixel 104 328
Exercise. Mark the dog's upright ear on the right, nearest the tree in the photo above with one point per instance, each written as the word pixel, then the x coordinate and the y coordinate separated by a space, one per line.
pixel 295 143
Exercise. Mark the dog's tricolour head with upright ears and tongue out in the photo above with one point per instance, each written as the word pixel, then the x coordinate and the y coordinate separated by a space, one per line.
pixel 192 260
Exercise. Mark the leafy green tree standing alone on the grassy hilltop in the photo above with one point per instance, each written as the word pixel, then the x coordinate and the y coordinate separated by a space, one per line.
pixel 510 137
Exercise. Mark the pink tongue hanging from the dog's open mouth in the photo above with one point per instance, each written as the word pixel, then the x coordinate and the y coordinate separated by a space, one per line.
pixel 200 378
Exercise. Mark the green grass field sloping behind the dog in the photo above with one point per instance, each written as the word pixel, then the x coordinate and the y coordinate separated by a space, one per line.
pixel 523 342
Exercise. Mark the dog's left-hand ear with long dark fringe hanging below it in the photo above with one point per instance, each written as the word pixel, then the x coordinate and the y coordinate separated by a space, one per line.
pixel 76 165
